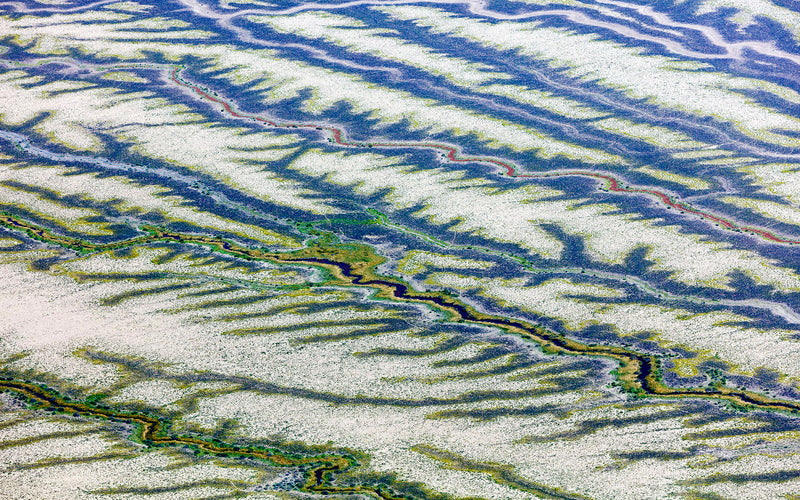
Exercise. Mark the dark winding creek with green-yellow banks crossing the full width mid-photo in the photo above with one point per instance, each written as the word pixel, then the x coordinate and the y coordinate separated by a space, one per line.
pixel 355 264
